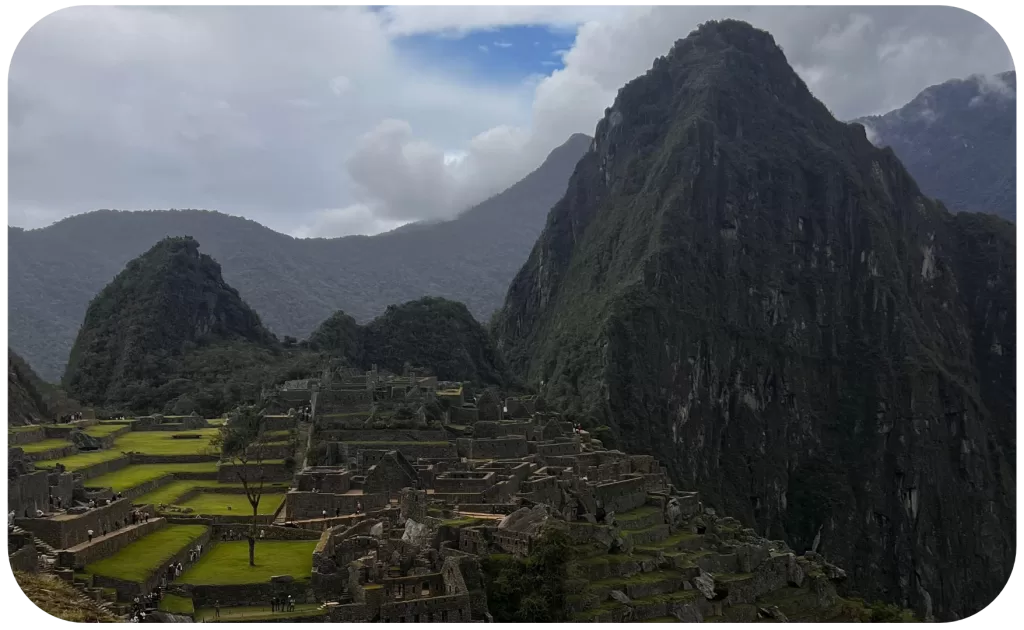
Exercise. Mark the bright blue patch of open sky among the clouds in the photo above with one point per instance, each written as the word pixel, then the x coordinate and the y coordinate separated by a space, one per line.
pixel 499 56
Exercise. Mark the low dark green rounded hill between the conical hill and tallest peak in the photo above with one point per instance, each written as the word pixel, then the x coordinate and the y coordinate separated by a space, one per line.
pixel 431 332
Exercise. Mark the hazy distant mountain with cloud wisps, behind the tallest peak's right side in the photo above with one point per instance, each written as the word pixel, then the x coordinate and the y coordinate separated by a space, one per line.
pixel 959 141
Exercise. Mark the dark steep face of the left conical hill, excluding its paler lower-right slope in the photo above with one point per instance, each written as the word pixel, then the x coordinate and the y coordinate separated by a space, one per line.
pixel 167 302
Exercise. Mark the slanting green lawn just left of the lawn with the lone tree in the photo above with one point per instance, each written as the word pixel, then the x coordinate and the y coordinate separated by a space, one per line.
pixel 140 560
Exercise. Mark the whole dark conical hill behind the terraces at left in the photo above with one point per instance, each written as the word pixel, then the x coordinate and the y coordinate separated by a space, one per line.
pixel 168 333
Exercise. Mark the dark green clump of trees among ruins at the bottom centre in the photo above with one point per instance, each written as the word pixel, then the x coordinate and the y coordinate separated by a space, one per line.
pixel 531 591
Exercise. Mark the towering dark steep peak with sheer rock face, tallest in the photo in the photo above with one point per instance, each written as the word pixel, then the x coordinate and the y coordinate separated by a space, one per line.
pixel 750 290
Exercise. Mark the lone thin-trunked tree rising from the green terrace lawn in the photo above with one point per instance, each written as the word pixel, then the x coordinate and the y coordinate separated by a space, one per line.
pixel 242 442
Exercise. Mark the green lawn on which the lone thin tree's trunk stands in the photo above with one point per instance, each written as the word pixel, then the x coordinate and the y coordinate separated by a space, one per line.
pixel 228 563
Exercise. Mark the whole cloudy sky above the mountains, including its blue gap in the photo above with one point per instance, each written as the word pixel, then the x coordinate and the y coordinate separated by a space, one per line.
pixel 323 121
